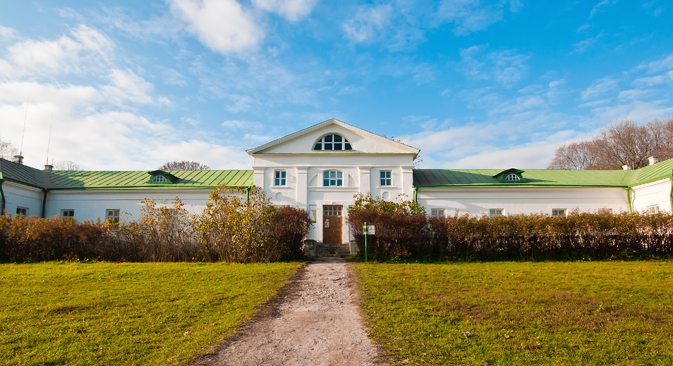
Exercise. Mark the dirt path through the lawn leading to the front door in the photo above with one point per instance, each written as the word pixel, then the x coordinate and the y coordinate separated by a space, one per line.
pixel 317 324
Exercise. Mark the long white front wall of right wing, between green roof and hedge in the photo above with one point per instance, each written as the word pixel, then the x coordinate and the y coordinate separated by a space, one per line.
pixel 522 200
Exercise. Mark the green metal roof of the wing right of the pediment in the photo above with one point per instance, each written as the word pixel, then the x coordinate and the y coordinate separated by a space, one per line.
pixel 543 177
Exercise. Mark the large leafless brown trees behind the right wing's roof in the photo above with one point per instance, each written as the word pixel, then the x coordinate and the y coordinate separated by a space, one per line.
pixel 621 143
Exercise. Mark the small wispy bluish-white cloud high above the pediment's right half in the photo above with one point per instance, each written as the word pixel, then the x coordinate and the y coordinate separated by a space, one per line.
pixel 368 23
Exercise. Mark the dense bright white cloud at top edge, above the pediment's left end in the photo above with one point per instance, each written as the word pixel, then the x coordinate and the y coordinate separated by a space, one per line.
pixel 221 25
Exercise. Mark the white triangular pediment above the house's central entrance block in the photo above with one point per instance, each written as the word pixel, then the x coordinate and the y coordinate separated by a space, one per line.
pixel 361 141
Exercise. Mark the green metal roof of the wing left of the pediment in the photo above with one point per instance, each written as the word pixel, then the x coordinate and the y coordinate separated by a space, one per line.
pixel 64 179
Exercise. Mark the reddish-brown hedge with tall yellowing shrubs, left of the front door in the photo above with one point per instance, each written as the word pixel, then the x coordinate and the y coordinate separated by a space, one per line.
pixel 165 234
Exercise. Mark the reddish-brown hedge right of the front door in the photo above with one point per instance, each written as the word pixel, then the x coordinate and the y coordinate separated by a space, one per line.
pixel 403 233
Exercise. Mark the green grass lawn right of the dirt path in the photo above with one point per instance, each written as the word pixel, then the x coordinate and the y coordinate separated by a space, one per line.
pixel 555 313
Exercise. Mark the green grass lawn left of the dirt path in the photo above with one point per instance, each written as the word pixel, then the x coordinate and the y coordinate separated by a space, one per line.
pixel 126 314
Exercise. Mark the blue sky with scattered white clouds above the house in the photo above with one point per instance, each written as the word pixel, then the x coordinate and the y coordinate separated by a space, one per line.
pixel 473 84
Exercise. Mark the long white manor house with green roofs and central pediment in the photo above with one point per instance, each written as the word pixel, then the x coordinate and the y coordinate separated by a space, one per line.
pixel 322 167
